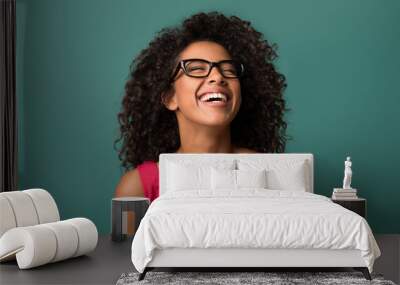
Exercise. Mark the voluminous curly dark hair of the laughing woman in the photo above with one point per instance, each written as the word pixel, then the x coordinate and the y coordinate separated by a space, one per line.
pixel 148 128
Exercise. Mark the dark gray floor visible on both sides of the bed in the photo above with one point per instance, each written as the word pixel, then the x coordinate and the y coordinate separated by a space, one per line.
pixel 106 264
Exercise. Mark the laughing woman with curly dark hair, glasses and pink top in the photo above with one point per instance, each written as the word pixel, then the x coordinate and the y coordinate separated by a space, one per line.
pixel 207 86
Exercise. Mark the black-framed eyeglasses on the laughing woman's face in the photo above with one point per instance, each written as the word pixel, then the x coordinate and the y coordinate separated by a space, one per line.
pixel 201 68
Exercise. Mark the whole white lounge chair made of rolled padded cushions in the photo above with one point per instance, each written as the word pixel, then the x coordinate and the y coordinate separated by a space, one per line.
pixel 30 230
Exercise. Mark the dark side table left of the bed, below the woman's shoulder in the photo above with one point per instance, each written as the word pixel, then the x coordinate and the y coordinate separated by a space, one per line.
pixel 139 205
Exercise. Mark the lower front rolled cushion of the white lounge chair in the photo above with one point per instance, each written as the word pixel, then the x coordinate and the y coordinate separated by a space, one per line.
pixel 40 244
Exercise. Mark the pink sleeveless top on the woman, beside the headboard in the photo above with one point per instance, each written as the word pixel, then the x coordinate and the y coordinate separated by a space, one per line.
pixel 148 172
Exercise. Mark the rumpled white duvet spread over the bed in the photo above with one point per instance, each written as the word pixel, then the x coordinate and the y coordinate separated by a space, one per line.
pixel 251 218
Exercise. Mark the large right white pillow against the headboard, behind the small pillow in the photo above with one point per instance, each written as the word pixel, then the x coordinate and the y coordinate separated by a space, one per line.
pixel 281 174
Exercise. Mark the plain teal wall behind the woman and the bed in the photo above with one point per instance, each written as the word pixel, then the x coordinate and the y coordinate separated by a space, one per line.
pixel 341 60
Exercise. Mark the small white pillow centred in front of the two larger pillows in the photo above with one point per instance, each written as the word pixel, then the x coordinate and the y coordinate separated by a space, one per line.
pixel 236 179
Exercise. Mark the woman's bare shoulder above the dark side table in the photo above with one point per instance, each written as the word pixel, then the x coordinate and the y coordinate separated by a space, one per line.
pixel 129 185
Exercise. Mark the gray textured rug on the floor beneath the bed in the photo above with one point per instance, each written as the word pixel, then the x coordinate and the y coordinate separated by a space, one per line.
pixel 231 278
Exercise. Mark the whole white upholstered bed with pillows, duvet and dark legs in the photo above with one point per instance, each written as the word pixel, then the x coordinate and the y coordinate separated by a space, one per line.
pixel 245 211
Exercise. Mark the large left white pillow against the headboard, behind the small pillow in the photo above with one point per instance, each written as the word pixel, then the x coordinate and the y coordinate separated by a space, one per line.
pixel 184 175
